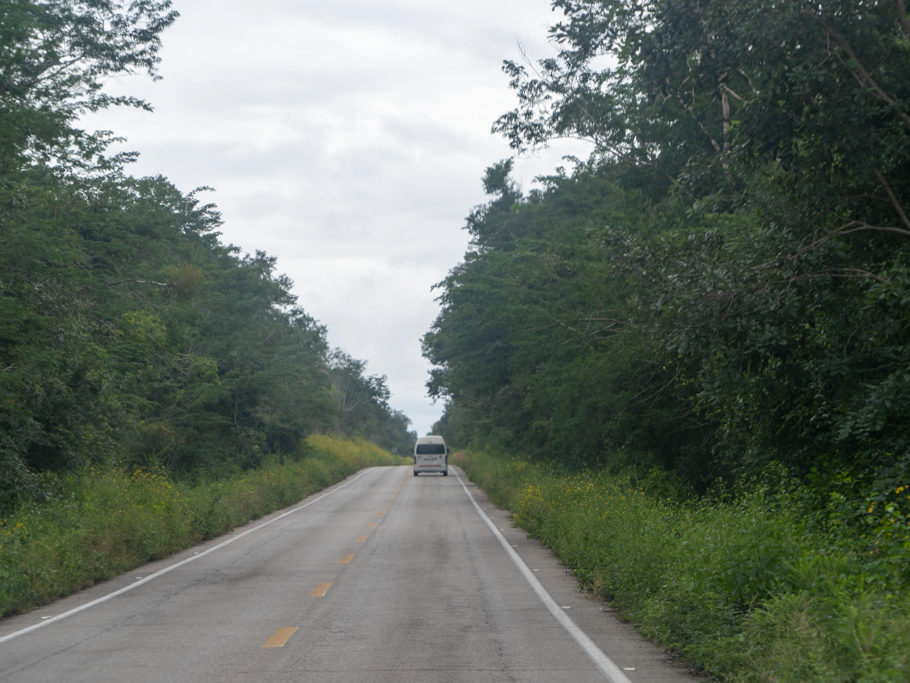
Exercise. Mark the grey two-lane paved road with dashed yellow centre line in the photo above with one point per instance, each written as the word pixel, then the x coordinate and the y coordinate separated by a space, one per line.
pixel 384 577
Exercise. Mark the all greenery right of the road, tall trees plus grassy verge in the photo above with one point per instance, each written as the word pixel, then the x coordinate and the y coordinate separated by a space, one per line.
pixel 698 338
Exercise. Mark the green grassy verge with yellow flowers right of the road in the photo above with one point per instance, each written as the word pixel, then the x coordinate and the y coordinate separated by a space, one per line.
pixel 748 589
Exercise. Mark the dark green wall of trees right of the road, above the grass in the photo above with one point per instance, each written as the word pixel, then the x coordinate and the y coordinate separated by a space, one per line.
pixel 725 282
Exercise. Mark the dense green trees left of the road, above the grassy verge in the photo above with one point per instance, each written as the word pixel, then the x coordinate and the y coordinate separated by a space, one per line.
pixel 128 332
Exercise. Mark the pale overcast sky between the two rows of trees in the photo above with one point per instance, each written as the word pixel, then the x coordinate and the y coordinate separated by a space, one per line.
pixel 347 138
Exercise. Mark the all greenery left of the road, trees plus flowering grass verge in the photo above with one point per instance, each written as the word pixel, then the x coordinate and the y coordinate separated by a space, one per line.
pixel 157 388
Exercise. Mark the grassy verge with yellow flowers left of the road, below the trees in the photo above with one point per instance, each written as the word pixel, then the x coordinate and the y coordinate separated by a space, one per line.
pixel 105 522
